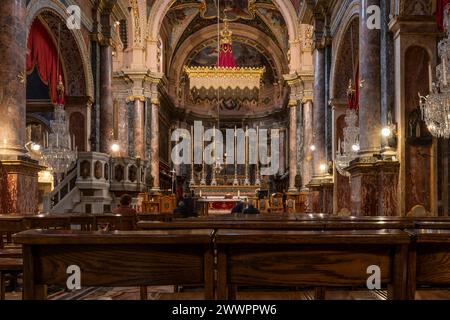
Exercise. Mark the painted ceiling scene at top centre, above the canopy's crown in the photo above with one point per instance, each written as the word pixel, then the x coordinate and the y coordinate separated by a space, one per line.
pixel 230 10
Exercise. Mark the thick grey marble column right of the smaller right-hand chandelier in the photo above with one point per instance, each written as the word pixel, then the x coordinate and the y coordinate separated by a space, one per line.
pixel 370 92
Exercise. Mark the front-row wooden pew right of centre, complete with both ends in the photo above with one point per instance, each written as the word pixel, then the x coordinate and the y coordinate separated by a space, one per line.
pixel 310 258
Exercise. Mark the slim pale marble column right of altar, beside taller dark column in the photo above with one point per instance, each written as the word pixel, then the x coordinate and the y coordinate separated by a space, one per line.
pixel 308 141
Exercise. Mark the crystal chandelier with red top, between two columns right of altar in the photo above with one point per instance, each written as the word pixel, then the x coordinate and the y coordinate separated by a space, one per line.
pixel 348 149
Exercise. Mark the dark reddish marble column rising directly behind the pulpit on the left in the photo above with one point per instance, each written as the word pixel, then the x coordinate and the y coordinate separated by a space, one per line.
pixel 106 98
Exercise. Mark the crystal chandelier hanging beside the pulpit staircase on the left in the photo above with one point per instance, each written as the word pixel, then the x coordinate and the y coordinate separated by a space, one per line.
pixel 59 151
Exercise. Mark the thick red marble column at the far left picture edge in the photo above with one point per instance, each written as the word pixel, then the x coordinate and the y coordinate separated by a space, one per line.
pixel 13 47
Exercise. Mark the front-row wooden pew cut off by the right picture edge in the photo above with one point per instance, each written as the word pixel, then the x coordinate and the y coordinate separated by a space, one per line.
pixel 429 260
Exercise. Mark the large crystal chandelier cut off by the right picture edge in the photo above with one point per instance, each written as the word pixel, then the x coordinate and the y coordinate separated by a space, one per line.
pixel 436 106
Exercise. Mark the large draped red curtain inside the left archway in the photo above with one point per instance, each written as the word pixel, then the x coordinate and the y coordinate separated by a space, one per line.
pixel 43 54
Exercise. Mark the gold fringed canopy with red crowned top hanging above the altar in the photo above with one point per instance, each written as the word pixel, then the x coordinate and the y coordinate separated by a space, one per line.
pixel 233 82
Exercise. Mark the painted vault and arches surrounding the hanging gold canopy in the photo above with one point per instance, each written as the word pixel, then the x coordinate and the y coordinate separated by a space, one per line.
pixel 264 24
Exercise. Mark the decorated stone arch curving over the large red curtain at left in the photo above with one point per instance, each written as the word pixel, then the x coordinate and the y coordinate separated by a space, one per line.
pixel 37 7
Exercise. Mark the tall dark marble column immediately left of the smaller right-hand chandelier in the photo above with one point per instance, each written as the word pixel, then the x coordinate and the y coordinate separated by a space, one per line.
pixel 319 155
